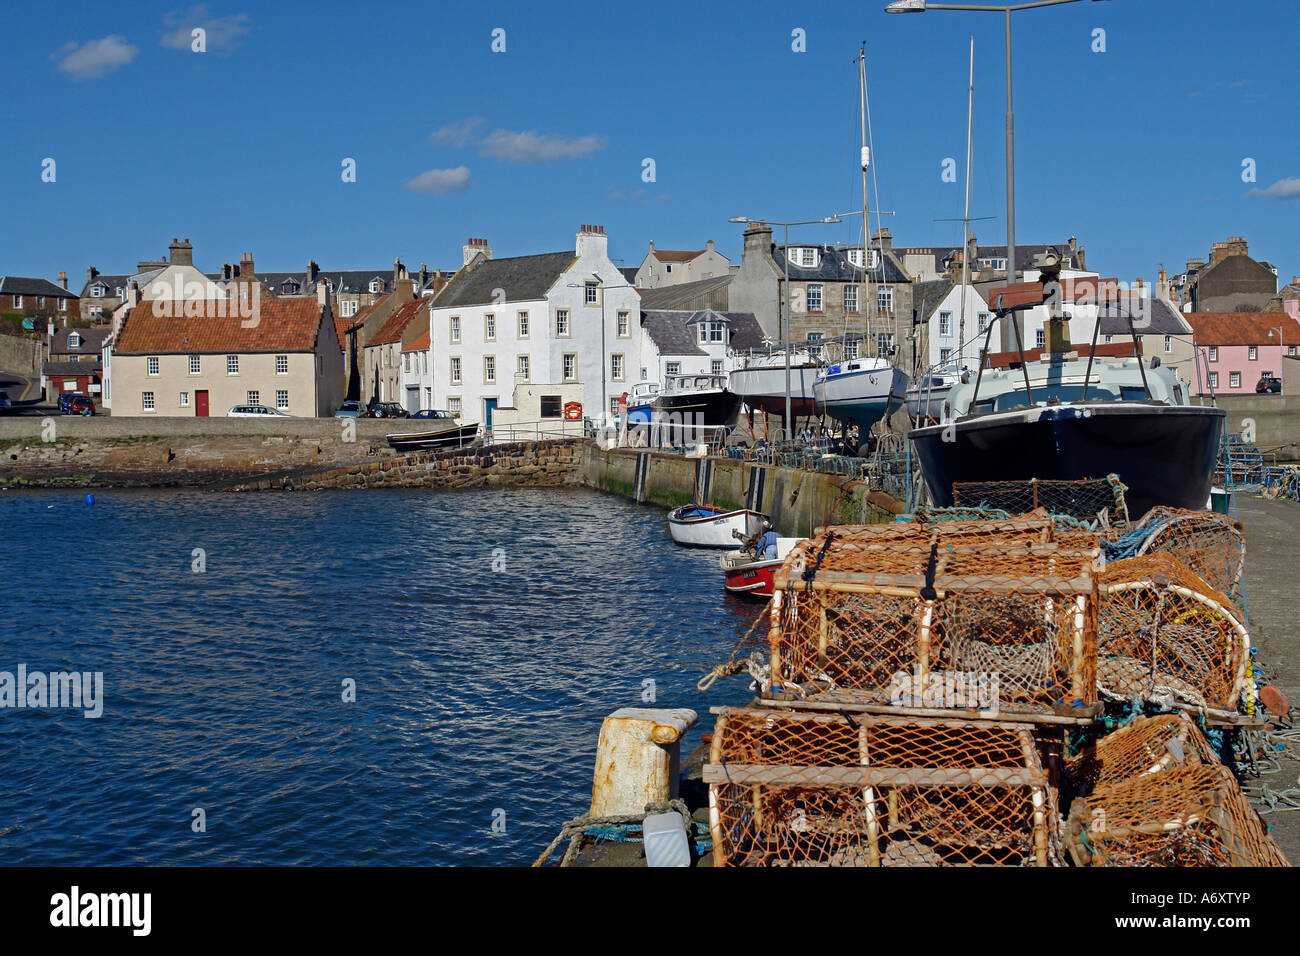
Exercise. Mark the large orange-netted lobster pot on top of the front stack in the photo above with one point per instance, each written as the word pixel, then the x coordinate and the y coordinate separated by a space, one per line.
pixel 943 620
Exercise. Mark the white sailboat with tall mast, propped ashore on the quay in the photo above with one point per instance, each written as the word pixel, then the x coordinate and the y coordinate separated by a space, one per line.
pixel 863 391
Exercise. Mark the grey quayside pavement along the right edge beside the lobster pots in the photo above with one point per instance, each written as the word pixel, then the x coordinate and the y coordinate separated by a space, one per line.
pixel 1272 531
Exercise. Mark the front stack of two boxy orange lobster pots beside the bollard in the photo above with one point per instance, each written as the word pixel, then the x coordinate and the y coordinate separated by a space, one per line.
pixel 896 654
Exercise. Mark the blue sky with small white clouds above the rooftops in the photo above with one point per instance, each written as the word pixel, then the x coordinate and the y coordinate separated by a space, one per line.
pixel 240 149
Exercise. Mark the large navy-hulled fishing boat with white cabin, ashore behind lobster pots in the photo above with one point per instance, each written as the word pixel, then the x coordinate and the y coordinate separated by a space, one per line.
pixel 1065 417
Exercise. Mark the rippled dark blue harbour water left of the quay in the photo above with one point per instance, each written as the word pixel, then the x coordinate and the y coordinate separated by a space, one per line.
pixel 476 690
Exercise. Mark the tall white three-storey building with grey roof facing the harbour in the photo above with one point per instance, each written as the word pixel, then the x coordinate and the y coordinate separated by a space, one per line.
pixel 553 319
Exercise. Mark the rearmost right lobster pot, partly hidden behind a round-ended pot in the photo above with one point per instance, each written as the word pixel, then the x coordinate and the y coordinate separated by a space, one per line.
pixel 1207 543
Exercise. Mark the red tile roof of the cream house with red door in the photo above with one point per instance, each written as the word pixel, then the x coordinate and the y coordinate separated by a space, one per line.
pixel 279 326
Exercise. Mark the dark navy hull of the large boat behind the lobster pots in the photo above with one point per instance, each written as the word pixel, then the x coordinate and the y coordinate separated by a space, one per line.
pixel 1164 455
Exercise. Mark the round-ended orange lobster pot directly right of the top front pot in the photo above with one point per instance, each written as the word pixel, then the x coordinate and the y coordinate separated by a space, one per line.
pixel 1168 638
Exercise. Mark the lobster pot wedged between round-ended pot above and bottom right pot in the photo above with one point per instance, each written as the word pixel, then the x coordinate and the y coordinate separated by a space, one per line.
pixel 1147 746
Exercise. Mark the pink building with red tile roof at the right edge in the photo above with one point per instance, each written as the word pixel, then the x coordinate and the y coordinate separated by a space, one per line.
pixel 1241 349
